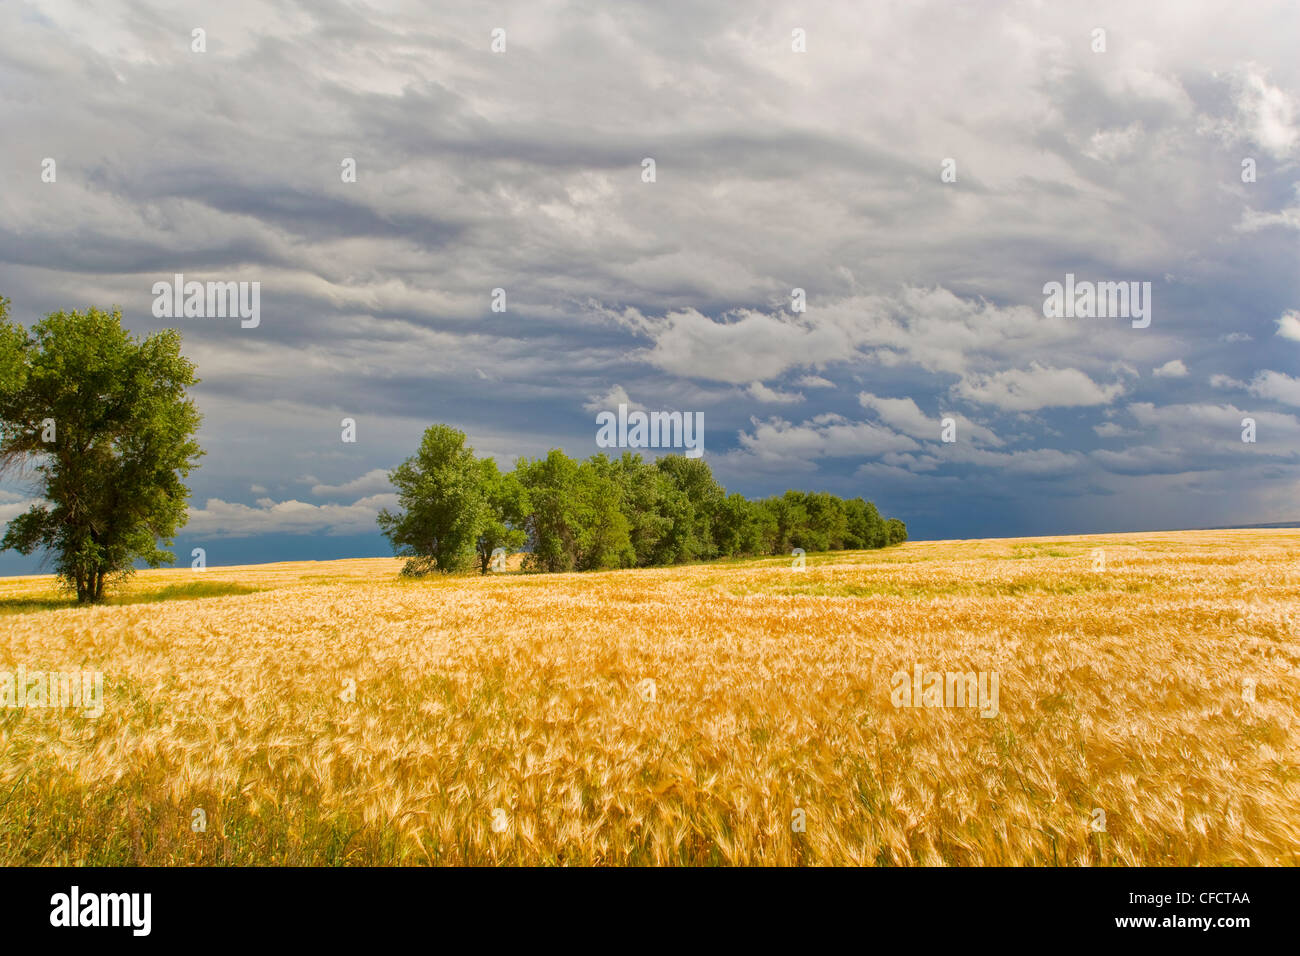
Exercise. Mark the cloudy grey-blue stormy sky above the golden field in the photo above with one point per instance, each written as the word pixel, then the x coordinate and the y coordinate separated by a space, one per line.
pixel 774 170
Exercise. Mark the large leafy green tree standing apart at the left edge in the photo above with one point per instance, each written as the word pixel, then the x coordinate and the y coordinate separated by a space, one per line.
pixel 107 425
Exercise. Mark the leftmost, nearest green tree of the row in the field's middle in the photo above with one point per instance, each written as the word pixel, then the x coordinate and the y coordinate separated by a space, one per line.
pixel 445 509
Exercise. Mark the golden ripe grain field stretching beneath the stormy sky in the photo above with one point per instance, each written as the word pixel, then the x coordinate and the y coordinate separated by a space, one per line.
pixel 730 713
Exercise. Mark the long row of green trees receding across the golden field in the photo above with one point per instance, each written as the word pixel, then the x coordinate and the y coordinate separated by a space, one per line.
pixel 457 509
